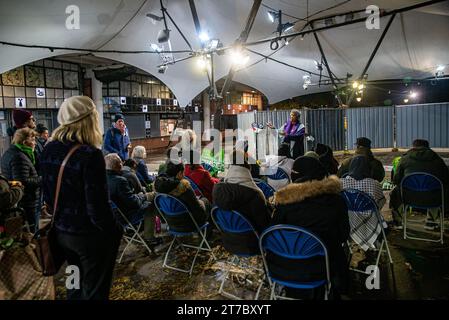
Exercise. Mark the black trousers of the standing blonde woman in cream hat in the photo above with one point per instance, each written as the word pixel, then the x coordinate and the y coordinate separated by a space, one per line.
pixel 95 255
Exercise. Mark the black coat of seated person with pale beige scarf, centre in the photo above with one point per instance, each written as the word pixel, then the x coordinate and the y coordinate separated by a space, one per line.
pixel 248 202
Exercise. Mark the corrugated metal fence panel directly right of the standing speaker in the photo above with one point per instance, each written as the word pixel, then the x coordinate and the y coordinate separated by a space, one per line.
pixel 327 127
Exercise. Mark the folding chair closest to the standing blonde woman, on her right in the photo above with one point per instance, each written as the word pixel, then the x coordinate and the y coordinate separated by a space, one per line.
pixel 131 226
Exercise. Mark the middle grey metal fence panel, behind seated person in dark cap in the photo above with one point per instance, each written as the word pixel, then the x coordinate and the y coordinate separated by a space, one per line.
pixel 375 123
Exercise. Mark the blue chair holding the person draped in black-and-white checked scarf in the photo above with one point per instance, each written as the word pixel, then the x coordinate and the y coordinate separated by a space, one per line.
pixel 364 207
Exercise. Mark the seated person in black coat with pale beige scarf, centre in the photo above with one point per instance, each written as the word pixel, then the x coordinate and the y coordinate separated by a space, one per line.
pixel 239 192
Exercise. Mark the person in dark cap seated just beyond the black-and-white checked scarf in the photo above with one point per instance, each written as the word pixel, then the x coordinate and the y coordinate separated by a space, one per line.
pixel 364 149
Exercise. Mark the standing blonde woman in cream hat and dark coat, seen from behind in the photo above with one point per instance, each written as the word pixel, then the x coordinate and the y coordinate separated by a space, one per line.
pixel 84 223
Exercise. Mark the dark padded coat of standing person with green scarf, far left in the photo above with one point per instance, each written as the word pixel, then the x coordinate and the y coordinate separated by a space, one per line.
pixel 16 165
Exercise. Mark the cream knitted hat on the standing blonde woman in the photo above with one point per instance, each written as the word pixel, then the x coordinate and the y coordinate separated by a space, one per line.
pixel 74 109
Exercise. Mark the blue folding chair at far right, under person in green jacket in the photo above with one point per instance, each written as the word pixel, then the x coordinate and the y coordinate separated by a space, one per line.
pixel 421 182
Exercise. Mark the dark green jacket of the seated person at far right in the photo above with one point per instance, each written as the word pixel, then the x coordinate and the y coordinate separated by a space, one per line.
pixel 422 160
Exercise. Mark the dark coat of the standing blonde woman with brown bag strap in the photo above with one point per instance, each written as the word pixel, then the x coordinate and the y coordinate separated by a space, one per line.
pixel 83 204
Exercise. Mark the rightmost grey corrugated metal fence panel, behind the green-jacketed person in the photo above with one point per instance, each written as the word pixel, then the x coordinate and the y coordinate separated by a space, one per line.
pixel 423 121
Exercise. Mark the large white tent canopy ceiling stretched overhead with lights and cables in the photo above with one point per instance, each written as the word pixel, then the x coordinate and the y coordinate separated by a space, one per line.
pixel 417 42
